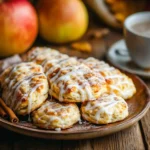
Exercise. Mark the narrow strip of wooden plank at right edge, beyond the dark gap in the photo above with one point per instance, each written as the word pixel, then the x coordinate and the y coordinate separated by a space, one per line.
pixel 145 126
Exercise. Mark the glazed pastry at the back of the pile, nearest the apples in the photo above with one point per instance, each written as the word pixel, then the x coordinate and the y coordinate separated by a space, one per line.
pixel 41 55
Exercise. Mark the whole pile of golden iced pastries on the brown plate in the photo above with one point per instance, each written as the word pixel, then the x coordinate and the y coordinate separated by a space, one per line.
pixel 57 89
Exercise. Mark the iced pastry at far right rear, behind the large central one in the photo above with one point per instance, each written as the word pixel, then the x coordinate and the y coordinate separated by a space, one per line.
pixel 117 82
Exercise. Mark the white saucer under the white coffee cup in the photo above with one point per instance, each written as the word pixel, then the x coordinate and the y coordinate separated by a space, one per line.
pixel 119 57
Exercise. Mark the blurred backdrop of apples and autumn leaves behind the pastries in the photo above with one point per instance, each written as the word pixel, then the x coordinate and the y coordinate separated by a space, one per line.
pixel 80 28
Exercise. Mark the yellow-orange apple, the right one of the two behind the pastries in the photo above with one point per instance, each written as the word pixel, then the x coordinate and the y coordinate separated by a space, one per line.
pixel 62 21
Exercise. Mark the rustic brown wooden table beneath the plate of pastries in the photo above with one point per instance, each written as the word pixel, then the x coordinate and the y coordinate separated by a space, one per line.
pixel 136 137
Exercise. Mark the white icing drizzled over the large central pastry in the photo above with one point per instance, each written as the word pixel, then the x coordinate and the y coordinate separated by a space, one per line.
pixel 79 82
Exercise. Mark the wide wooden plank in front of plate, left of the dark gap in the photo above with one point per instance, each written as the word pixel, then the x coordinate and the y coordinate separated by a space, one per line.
pixel 129 139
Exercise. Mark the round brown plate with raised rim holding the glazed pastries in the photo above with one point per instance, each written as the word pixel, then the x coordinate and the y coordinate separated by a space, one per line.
pixel 138 106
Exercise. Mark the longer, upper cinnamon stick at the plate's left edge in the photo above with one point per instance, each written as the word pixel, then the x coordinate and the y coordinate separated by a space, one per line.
pixel 12 116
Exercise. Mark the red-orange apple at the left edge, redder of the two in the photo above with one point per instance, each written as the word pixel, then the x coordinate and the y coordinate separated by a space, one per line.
pixel 18 26
